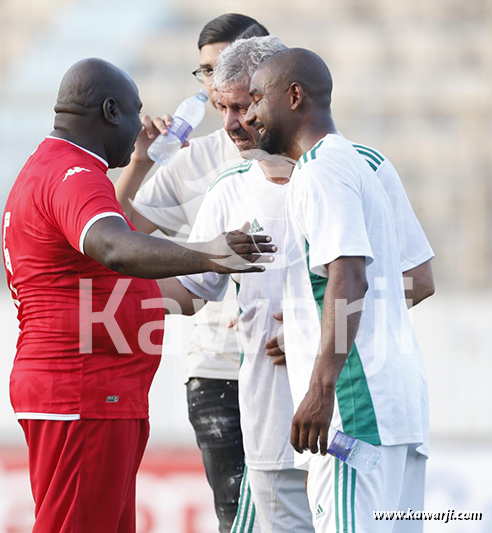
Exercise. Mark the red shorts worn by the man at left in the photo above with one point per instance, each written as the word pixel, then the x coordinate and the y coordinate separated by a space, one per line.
pixel 83 473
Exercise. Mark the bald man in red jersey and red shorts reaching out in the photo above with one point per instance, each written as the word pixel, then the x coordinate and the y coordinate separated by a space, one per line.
pixel 90 328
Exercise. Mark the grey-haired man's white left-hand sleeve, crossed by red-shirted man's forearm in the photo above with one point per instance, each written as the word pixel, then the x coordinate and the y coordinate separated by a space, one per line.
pixel 209 223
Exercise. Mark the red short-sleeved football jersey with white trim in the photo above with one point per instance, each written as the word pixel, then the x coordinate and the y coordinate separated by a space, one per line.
pixel 90 338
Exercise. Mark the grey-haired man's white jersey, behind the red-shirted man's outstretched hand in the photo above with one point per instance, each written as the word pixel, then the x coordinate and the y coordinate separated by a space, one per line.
pixel 239 195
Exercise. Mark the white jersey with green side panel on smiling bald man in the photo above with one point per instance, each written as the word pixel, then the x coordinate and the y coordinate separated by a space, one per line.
pixel 337 207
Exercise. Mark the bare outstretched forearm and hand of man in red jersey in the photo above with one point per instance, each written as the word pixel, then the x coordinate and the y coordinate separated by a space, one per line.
pixel 111 242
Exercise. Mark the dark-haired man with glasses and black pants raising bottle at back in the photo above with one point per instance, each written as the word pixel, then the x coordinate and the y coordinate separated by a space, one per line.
pixel 174 194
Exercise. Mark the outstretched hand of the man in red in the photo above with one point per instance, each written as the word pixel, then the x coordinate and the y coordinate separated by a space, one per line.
pixel 234 251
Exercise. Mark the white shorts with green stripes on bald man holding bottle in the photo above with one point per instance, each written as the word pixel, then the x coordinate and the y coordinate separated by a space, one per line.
pixel 344 500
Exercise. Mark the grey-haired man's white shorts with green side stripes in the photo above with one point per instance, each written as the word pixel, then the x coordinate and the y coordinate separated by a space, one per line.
pixel 280 502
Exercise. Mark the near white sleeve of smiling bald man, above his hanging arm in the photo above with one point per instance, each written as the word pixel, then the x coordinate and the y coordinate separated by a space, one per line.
pixel 329 203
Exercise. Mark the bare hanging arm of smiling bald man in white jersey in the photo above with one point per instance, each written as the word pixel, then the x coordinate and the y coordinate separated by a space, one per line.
pixel 346 281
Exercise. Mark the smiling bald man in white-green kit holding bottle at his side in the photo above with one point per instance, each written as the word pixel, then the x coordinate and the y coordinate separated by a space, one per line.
pixel 352 358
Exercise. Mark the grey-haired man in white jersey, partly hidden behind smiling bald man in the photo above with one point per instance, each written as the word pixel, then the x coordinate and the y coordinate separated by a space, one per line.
pixel 254 191
